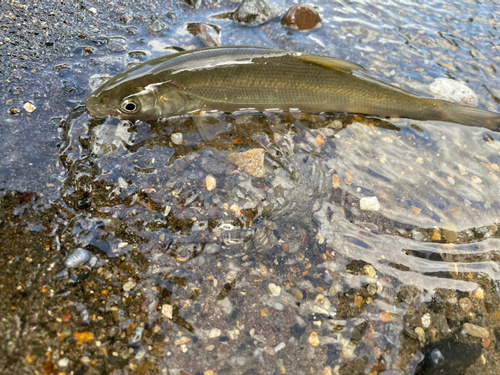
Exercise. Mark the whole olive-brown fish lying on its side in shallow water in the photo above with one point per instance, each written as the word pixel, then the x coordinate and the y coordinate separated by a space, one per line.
pixel 232 79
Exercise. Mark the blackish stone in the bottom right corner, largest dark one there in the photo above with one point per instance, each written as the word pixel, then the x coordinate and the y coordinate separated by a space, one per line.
pixel 448 357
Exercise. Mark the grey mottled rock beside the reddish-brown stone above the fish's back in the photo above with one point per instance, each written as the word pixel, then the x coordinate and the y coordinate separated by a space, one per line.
pixel 256 12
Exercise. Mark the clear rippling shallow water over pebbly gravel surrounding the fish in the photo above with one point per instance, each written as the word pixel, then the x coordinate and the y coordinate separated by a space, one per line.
pixel 276 269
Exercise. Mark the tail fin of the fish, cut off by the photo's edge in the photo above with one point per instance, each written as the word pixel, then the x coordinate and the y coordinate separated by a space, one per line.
pixel 471 116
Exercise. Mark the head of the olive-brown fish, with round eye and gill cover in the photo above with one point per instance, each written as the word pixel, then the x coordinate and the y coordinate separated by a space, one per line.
pixel 133 102
